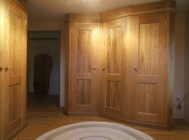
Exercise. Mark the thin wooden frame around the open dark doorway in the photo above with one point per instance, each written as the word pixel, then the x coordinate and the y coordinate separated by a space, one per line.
pixel 28 45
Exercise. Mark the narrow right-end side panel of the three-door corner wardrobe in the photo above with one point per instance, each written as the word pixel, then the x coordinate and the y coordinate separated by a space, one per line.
pixel 169 70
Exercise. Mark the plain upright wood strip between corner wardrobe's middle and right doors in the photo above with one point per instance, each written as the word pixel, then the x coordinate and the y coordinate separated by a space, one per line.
pixel 132 41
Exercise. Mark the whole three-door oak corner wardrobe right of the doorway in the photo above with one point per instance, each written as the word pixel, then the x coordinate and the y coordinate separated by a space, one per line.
pixel 120 64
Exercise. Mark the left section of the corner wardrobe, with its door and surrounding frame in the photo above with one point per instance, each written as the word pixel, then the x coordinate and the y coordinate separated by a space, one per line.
pixel 81 63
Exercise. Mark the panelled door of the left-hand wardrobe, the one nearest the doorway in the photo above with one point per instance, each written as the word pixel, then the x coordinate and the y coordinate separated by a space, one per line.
pixel 15 105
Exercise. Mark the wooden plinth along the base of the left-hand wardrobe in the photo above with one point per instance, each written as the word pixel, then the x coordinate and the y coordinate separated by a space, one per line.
pixel 16 131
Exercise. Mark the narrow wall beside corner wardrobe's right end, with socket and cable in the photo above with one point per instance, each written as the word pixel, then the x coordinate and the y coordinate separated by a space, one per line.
pixel 179 62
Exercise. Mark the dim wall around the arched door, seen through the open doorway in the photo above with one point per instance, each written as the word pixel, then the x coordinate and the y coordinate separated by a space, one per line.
pixel 50 48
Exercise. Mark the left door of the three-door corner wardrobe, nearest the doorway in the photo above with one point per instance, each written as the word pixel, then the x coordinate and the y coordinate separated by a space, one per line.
pixel 83 42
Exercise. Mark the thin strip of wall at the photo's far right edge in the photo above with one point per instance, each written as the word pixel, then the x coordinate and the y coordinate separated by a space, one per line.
pixel 186 76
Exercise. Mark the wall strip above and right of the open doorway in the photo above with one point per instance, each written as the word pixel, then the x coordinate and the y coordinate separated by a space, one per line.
pixel 54 26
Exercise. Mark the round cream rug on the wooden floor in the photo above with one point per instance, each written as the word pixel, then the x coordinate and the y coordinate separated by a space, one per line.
pixel 95 131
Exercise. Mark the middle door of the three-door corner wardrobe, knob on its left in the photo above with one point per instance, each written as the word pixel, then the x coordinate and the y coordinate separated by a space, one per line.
pixel 112 68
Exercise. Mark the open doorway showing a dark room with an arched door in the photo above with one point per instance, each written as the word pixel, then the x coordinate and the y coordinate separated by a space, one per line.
pixel 43 65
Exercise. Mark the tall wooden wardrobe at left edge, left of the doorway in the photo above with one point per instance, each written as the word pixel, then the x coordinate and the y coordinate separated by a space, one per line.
pixel 13 101
